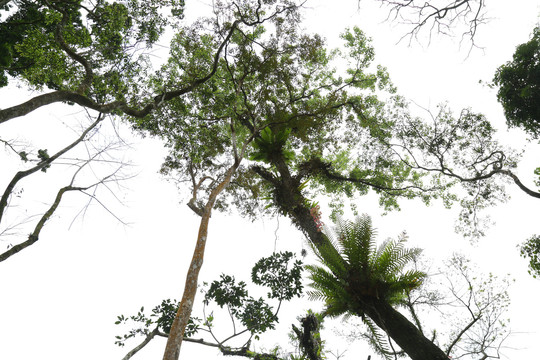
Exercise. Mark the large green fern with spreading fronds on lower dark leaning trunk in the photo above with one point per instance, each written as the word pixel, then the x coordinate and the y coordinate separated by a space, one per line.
pixel 353 267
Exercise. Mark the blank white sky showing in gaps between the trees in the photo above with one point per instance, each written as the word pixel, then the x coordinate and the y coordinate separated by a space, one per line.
pixel 59 299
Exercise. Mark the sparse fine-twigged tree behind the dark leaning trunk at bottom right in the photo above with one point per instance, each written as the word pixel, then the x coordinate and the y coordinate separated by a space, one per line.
pixel 467 312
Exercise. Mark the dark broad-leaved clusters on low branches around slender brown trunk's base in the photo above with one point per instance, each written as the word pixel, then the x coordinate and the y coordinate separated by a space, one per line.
pixel 278 272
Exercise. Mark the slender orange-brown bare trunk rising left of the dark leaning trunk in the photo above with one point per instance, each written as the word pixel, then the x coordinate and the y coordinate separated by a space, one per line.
pixel 176 335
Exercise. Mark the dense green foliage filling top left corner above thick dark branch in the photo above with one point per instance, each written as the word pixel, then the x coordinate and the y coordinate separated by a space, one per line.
pixel 63 45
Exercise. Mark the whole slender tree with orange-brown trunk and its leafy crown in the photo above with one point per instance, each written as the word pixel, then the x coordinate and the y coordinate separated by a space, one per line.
pixel 206 130
